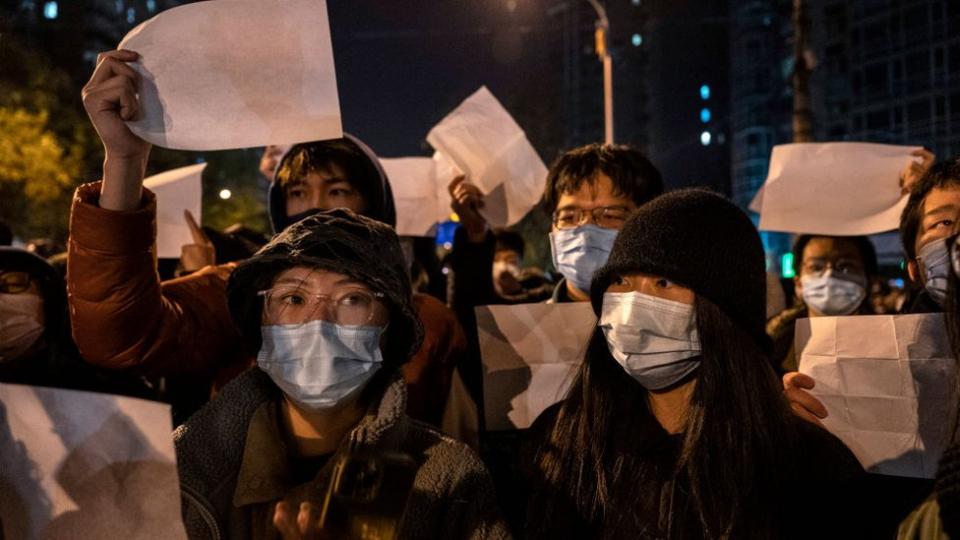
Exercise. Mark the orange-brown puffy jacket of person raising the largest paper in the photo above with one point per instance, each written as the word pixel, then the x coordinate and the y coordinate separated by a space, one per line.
pixel 124 318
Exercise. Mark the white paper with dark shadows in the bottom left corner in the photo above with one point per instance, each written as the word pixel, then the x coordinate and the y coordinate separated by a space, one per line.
pixel 86 465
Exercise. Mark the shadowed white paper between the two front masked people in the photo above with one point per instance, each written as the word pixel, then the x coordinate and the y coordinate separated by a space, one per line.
pixel 530 354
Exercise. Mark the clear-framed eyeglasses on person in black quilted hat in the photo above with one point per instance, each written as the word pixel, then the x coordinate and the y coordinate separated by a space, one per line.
pixel 347 306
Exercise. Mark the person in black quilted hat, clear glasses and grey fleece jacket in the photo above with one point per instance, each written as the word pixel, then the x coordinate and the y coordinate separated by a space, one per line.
pixel 314 442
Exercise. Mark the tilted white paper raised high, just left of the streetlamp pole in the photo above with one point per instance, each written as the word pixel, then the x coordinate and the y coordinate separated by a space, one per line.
pixel 486 144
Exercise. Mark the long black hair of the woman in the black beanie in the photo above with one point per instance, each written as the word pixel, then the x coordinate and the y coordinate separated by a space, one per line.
pixel 600 456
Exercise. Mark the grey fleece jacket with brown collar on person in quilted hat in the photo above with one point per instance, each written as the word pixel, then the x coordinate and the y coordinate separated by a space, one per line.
pixel 452 497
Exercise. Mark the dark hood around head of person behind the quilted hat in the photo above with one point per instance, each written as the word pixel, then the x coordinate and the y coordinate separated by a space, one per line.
pixel 373 183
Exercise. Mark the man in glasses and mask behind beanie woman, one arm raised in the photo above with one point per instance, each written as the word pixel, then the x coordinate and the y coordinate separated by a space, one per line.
pixel 590 191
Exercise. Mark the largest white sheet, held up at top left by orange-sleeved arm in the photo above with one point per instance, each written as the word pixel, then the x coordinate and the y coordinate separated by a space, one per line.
pixel 238 74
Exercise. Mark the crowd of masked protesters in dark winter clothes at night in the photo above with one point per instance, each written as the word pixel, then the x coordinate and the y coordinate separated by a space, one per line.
pixel 687 417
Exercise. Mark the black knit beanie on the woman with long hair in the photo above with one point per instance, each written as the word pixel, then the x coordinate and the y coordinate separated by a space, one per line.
pixel 702 241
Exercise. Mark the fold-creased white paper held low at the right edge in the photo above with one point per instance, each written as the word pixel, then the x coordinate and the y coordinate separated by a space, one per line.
pixel 888 385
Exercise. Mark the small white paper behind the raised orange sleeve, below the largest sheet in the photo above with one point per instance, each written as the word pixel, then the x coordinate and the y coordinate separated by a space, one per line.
pixel 177 190
